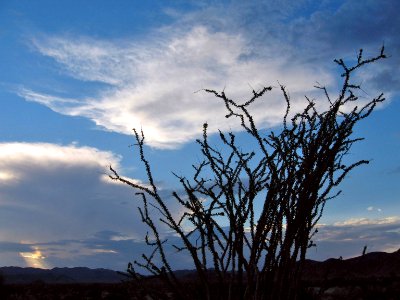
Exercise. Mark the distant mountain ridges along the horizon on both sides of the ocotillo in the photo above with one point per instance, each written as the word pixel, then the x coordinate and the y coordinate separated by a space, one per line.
pixel 370 265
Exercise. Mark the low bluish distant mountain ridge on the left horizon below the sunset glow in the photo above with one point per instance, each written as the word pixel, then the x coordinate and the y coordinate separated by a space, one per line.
pixel 17 275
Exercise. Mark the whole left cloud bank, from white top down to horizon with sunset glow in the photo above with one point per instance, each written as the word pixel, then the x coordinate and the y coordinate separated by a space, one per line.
pixel 58 207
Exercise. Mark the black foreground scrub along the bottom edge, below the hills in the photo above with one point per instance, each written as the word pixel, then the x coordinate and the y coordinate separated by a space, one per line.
pixel 372 288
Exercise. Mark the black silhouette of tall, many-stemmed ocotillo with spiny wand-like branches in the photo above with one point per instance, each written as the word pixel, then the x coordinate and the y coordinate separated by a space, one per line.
pixel 289 174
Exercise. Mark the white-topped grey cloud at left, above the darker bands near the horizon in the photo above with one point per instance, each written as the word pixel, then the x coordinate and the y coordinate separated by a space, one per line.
pixel 55 189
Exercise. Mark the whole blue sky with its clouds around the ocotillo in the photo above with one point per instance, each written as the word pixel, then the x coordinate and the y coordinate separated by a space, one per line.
pixel 77 76
